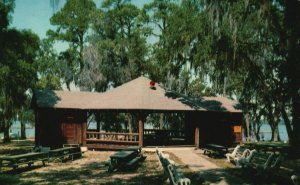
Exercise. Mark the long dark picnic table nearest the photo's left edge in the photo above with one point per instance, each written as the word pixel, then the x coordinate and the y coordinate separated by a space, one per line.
pixel 29 158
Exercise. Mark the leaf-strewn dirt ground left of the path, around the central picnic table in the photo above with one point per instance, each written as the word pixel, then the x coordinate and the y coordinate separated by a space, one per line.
pixel 90 169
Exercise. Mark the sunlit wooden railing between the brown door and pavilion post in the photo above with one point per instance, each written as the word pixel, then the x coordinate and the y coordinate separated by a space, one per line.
pixel 113 137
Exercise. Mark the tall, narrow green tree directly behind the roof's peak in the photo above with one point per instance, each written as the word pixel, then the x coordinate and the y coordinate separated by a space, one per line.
pixel 158 15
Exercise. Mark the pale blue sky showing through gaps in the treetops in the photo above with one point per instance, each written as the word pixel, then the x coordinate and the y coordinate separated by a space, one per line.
pixel 36 14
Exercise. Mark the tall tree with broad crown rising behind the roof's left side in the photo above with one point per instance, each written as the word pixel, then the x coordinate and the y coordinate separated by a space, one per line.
pixel 73 24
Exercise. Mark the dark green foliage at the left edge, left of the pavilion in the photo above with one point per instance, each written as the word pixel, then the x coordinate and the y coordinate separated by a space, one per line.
pixel 17 64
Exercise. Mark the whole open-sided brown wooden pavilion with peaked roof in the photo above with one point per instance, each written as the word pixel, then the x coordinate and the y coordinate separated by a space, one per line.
pixel 61 116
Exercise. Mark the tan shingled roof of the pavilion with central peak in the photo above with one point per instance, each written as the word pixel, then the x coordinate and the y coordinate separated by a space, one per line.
pixel 133 95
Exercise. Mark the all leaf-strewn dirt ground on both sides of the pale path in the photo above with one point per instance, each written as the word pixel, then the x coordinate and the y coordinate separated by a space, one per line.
pixel 91 169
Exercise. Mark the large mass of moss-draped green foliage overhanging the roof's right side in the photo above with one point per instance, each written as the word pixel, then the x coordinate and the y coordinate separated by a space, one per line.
pixel 239 47
